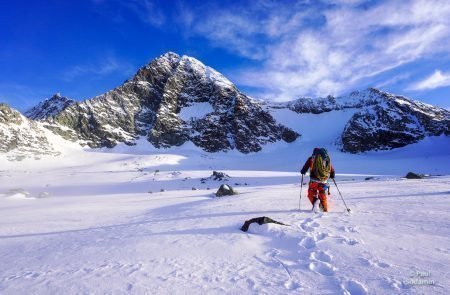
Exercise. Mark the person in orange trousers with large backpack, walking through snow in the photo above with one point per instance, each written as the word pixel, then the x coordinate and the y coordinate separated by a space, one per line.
pixel 320 171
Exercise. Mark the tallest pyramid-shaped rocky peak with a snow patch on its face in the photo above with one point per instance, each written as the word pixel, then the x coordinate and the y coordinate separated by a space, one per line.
pixel 172 100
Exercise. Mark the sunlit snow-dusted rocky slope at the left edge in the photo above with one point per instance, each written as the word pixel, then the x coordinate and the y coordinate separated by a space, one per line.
pixel 21 137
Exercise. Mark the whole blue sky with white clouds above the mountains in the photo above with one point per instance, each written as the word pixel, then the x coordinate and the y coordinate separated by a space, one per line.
pixel 276 50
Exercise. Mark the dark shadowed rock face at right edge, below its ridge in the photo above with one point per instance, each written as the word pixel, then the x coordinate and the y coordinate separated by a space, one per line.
pixel 395 121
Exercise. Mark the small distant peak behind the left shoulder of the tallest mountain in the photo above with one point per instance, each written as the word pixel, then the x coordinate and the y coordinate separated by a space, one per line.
pixel 49 107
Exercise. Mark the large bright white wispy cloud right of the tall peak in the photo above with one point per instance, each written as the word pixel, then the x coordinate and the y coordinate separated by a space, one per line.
pixel 324 48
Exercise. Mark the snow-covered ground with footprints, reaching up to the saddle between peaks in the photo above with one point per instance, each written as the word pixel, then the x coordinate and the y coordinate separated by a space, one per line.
pixel 137 220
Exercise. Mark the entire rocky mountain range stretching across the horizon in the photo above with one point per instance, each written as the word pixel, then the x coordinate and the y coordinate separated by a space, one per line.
pixel 175 99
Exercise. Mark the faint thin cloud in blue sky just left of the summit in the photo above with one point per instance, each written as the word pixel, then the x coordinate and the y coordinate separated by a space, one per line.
pixel 94 71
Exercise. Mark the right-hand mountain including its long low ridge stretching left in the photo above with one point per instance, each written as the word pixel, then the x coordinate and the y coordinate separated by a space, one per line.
pixel 383 121
